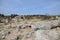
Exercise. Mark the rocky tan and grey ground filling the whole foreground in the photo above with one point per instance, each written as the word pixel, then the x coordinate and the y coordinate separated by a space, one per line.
pixel 30 30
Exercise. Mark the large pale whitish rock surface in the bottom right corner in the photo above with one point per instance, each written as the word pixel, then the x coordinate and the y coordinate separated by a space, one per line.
pixel 47 35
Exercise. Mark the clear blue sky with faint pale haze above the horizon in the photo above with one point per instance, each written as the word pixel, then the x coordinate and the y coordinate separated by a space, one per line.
pixel 24 7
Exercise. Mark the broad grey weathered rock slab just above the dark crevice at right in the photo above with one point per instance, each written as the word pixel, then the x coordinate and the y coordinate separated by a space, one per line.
pixel 45 25
